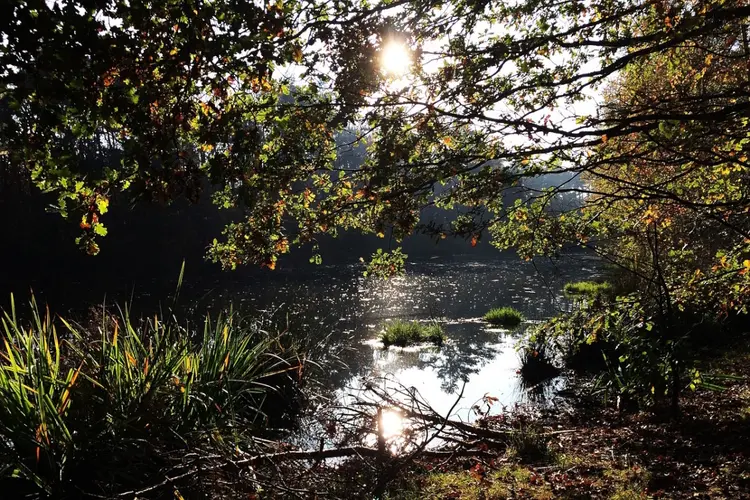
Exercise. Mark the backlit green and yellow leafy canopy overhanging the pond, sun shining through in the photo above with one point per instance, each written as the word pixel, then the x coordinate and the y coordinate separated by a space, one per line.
pixel 162 99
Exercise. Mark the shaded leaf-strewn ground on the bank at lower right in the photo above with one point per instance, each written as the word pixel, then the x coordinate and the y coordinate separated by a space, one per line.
pixel 596 452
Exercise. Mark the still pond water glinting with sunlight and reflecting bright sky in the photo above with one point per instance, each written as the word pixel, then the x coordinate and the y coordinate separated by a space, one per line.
pixel 349 311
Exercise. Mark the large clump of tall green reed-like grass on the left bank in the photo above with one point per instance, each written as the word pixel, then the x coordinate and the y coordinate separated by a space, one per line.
pixel 115 410
